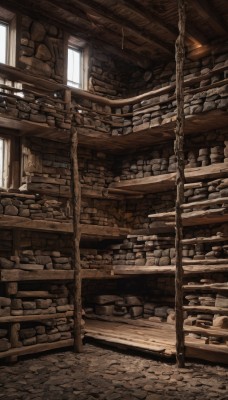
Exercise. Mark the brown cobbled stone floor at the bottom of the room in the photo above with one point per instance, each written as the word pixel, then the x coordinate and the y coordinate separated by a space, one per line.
pixel 101 373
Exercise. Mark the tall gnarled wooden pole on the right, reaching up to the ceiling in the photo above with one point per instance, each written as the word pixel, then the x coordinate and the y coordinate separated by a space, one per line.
pixel 179 152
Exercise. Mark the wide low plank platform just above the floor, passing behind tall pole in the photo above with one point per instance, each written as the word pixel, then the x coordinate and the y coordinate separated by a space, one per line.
pixel 152 337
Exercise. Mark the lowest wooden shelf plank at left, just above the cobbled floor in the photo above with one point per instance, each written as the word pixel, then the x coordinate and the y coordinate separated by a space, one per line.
pixel 37 348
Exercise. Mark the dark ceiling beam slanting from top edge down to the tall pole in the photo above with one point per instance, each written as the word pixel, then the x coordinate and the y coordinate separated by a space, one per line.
pixel 145 35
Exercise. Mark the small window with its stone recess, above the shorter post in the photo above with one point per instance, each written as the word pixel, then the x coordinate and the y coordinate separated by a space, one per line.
pixel 77 63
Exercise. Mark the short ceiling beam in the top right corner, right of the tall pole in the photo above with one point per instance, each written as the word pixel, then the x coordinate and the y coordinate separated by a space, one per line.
pixel 209 14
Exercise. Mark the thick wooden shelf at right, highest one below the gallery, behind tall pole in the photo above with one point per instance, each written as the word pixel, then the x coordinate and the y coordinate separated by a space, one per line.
pixel 165 182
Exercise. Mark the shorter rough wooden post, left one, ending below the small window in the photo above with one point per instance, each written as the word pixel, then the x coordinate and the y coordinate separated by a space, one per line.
pixel 76 200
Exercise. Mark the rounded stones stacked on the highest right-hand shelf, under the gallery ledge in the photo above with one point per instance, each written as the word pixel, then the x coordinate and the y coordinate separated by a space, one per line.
pixel 200 149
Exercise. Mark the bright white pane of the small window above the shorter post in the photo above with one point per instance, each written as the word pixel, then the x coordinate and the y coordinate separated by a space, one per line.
pixel 74 68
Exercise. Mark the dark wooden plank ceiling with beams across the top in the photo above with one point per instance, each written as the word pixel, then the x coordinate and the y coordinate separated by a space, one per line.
pixel 140 31
